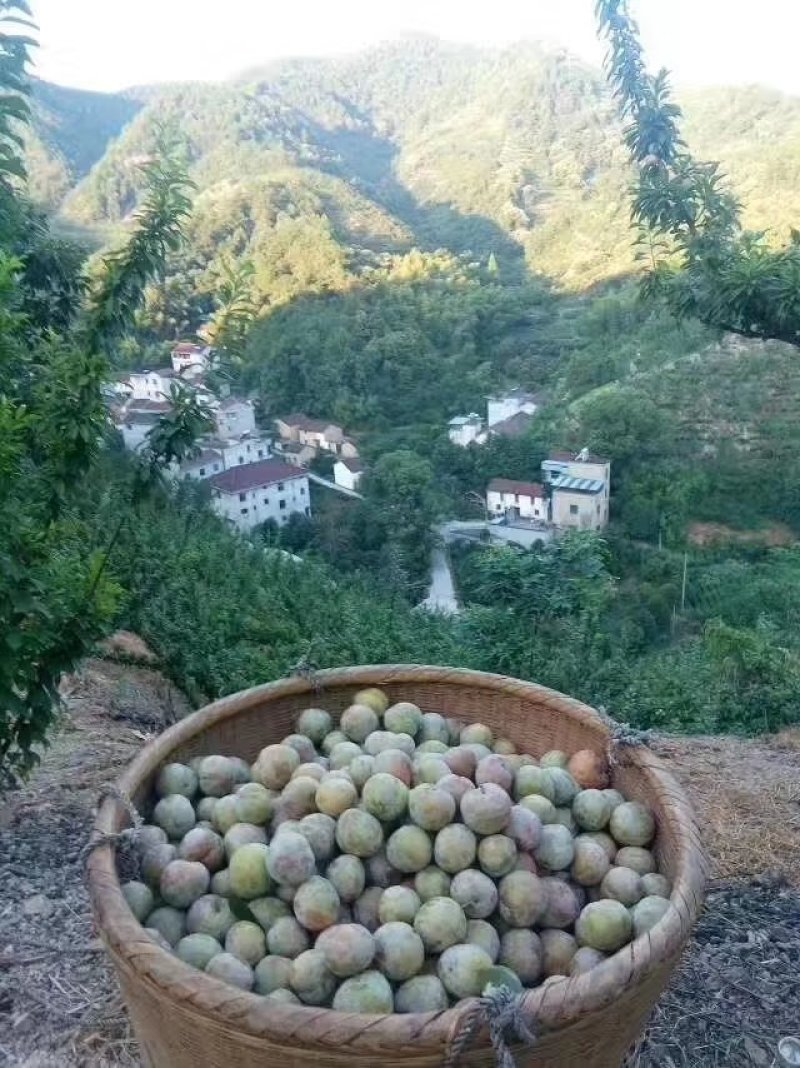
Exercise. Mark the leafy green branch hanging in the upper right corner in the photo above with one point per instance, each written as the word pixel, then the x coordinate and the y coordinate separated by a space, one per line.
pixel 700 259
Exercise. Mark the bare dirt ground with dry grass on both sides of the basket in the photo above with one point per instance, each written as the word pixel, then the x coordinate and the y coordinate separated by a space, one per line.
pixel 735 996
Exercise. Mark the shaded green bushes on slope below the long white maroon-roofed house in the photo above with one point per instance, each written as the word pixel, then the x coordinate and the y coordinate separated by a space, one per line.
pixel 226 614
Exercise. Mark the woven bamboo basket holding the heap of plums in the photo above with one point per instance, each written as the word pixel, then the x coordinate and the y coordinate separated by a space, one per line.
pixel 184 1018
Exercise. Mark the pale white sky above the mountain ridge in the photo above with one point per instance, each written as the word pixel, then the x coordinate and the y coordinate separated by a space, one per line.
pixel 112 44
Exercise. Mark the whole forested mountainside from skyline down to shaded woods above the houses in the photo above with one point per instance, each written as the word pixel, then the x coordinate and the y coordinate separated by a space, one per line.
pixel 418 202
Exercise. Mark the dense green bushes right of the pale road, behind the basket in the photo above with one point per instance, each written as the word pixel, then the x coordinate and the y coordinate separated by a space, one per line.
pixel 604 622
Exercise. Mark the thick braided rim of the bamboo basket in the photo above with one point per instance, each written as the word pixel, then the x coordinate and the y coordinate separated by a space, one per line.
pixel 553 1007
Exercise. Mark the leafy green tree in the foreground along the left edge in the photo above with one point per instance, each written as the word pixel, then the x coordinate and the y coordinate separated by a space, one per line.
pixel 55 593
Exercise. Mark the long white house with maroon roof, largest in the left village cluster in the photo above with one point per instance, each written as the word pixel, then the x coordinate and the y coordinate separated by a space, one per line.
pixel 255 493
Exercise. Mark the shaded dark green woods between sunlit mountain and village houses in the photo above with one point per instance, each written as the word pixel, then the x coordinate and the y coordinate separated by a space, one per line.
pixel 374 349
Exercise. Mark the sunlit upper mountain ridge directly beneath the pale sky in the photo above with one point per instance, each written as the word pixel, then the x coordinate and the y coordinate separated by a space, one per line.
pixel 441 136
